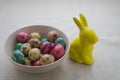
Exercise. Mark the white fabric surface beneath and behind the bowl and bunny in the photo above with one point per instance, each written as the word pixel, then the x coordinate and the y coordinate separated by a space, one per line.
pixel 102 15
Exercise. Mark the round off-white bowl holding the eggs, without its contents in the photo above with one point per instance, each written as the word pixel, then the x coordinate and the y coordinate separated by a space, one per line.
pixel 10 44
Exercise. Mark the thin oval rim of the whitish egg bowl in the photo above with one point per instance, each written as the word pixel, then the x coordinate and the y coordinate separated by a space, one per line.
pixel 26 66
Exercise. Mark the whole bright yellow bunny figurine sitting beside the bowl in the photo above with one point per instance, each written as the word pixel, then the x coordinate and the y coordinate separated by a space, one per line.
pixel 82 46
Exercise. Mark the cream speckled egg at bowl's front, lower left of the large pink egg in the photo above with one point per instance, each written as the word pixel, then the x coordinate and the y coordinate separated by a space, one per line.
pixel 46 59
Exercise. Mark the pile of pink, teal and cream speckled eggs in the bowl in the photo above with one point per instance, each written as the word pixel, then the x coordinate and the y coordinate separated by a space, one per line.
pixel 34 50
